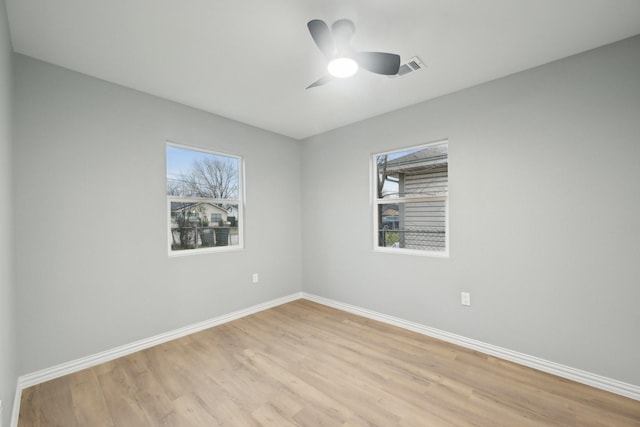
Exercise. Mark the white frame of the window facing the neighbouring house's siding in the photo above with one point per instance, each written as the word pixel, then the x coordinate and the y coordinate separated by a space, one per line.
pixel 377 201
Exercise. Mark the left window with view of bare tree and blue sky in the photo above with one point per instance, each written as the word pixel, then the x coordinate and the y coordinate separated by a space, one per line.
pixel 204 200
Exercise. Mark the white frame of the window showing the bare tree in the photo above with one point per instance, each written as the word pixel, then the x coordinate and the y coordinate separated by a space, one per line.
pixel 240 202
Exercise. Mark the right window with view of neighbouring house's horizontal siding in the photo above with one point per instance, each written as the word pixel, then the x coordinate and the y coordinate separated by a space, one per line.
pixel 411 190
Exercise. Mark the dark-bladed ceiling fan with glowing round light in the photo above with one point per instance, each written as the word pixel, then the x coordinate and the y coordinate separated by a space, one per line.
pixel 343 59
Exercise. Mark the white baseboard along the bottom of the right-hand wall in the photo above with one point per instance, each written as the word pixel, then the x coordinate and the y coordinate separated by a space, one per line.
pixel 577 375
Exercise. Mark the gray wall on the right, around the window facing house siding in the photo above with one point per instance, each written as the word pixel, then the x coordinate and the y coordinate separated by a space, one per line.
pixel 544 213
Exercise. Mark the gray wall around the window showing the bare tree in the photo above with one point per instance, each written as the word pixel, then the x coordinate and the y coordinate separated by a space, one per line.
pixel 91 252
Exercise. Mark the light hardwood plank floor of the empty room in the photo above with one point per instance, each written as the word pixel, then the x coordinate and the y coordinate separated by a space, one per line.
pixel 304 364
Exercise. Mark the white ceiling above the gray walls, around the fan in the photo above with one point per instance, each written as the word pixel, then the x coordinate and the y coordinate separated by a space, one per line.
pixel 250 60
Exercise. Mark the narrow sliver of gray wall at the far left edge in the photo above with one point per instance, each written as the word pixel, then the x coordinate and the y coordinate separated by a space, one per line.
pixel 8 373
